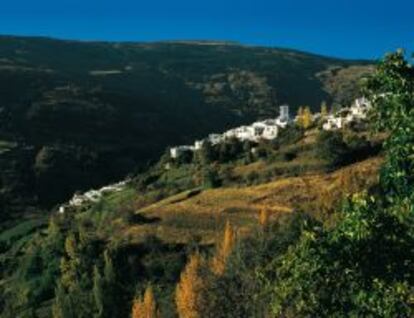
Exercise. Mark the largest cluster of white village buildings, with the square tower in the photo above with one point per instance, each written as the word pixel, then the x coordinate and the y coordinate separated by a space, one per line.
pixel 267 129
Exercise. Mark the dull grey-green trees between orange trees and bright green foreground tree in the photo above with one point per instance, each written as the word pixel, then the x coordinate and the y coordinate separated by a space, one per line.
pixel 242 291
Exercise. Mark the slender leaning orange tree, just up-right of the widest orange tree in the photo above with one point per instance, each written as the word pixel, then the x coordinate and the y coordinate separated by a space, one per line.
pixel 218 263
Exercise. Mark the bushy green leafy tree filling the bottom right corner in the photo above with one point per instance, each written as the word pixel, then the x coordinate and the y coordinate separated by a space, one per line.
pixel 350 270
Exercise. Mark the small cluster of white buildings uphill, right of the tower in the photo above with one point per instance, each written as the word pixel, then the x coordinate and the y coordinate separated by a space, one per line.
pixel 356 112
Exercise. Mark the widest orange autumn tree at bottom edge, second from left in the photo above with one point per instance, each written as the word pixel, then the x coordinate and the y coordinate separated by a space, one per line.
pixel 189 296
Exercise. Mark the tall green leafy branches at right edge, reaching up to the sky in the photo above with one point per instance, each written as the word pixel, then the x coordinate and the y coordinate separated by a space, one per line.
pixel 392 91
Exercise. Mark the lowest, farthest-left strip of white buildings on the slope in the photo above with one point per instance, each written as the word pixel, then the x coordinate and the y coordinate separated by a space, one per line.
pixel 92 196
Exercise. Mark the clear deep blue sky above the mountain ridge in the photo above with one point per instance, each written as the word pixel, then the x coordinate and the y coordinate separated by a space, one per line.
pixel 343 28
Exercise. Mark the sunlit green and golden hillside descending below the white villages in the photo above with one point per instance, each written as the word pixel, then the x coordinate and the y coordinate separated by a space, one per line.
pixel 163 214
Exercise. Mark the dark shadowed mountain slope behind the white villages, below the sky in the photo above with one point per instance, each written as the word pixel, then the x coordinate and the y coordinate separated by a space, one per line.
pixel 75 115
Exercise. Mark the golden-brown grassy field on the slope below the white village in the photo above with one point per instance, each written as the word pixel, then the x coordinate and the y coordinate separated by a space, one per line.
pixel 182 218
